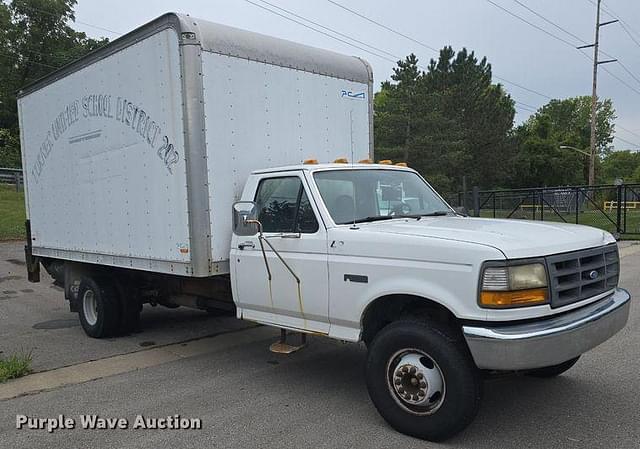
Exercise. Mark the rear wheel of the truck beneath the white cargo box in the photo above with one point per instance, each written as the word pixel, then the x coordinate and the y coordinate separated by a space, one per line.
pixel 104 322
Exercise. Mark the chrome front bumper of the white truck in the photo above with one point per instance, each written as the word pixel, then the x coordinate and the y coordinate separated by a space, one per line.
pixel 550 341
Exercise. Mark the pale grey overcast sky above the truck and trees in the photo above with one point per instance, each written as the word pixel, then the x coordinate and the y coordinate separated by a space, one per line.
pixel 530 63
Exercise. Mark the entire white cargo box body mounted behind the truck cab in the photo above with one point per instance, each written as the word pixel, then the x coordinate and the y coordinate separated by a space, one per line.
pixel 134 154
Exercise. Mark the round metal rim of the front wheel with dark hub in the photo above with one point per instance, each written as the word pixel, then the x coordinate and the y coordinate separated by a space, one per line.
pixel 416 381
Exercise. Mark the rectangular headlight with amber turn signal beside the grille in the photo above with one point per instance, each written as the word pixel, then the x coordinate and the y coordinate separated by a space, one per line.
pixel 514 286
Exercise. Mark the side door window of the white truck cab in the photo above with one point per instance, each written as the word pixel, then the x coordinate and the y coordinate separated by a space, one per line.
pixel 284 206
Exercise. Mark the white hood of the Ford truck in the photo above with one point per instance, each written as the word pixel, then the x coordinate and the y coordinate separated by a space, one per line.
pixel 514 238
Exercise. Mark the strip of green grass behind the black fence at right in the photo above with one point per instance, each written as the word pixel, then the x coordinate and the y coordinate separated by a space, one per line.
pixel 593 218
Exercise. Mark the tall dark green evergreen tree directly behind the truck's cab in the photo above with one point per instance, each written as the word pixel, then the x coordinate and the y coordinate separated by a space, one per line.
pixel 446 122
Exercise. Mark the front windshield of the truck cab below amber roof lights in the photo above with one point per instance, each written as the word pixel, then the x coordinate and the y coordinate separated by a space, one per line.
pixel 376 194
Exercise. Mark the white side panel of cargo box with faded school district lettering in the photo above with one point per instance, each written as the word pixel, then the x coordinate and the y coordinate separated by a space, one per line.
pixel 103 152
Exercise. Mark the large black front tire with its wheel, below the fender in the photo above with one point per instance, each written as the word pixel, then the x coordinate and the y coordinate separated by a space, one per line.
pixel 445 351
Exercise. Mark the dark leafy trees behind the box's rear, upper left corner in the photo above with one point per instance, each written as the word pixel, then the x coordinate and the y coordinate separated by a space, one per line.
pixel 35 39
